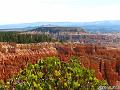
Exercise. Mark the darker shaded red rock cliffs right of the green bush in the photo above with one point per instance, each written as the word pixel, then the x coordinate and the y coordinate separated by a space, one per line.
pixel 106 63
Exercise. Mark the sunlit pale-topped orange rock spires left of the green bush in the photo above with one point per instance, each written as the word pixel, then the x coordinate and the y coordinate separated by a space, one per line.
pixel 10 63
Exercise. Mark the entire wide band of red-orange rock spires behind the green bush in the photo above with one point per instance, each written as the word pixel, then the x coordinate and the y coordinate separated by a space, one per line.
pixel 105 62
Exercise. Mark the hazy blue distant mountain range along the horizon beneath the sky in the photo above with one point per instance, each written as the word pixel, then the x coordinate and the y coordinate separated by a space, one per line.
pixel 101 26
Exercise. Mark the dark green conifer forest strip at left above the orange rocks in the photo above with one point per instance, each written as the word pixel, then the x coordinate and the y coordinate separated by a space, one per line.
pixel 23 38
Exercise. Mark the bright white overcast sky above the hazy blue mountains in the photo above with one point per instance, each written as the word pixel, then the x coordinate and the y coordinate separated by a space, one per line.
pixel 27 11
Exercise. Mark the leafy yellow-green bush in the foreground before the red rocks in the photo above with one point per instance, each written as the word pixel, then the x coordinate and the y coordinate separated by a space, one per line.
pixel 53 74
